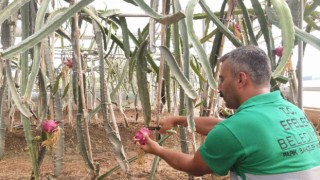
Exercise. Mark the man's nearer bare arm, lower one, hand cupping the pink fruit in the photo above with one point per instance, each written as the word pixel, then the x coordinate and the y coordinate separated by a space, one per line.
pixel 192 164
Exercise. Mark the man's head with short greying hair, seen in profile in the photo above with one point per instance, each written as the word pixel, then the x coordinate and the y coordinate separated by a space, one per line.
pixel 245 72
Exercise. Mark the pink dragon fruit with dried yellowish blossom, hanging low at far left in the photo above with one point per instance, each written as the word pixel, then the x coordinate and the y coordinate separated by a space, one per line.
pixel 52 130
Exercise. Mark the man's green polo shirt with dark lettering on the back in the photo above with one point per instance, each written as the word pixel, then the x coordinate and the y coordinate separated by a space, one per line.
pixel 267 135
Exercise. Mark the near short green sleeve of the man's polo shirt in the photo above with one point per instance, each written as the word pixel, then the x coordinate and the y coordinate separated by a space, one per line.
pixel 221 150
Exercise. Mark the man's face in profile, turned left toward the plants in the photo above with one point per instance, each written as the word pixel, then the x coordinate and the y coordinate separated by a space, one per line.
pixel 227 86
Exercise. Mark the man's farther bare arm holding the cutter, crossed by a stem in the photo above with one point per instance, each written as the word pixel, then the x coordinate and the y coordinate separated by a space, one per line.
pixel 203 124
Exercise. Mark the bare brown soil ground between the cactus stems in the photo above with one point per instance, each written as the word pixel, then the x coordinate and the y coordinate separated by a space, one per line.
pixel 16 163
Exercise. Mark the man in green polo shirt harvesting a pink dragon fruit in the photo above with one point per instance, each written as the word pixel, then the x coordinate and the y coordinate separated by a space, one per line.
pixel 268 138
